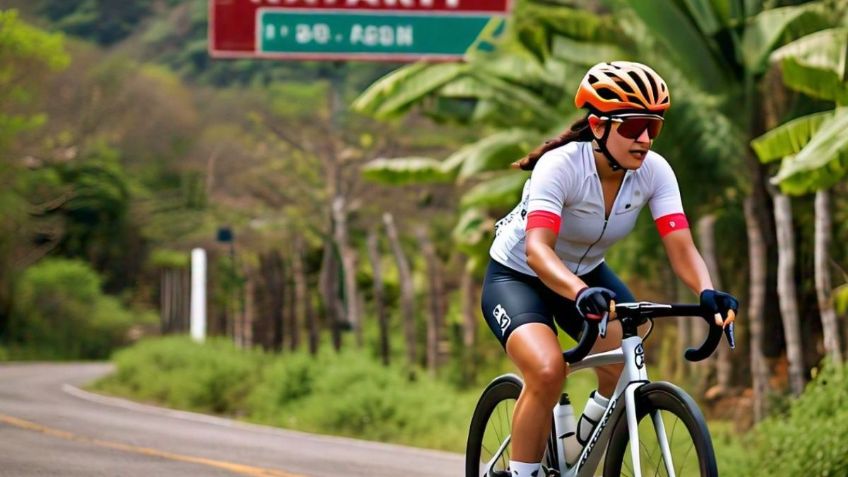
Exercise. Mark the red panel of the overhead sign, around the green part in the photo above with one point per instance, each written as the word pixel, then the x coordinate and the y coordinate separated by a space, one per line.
pixel 232 23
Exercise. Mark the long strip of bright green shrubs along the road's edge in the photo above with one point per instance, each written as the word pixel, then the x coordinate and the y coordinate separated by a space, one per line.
pixel 349 393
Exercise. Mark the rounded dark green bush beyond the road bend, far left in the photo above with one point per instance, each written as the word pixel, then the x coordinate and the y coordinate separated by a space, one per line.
pixel 61 313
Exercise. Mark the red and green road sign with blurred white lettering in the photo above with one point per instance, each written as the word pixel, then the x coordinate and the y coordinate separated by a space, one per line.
pixel 389 30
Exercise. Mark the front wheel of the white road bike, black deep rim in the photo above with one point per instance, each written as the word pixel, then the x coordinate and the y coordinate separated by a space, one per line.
pixel 667 408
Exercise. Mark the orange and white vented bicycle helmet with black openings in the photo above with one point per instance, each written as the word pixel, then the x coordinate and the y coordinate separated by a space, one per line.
pixel 623 85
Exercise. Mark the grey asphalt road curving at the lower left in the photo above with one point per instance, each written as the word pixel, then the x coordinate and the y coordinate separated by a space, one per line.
pixel 48 426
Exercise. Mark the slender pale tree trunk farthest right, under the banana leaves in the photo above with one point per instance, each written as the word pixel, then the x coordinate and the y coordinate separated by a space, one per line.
pixel 830 324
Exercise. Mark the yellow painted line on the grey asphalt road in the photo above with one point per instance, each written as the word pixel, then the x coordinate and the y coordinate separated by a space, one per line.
pixel 230 466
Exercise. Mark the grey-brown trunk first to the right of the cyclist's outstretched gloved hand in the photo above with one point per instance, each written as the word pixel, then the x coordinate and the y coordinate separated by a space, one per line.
pixel 756 308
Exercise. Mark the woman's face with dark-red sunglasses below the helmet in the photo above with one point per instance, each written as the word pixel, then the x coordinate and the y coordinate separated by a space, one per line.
pixel 630 153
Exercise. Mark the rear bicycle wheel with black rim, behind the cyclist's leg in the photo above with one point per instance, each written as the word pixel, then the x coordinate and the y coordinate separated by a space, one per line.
pixel 491 428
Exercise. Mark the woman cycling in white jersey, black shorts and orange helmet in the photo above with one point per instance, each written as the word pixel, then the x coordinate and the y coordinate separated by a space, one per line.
pixel 547 260
